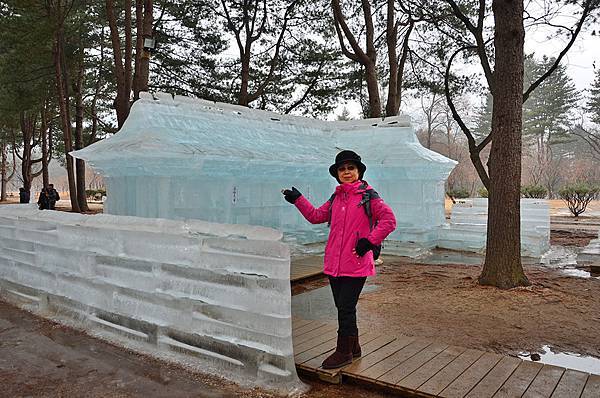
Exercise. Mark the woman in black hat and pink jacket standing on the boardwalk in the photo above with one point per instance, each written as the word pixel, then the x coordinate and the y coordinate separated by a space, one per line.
pixel 349 251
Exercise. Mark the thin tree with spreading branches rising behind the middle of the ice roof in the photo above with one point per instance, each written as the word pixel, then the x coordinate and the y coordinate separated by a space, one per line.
pixel 284 60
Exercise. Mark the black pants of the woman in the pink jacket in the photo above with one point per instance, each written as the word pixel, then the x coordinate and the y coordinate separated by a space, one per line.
pixel 346 290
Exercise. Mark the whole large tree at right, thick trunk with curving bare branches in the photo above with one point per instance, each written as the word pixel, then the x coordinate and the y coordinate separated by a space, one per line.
pixel 504 76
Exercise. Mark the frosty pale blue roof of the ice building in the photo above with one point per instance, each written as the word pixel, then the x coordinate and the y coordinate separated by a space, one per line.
pixel 167 127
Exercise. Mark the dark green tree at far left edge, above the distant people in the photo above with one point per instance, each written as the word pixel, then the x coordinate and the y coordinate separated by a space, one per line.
pixel 25 84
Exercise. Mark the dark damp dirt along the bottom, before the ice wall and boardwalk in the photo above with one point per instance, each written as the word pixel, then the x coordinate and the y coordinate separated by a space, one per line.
pixel 39 358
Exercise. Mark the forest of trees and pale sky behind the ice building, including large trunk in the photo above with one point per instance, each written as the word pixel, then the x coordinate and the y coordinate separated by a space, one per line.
pixel 510 114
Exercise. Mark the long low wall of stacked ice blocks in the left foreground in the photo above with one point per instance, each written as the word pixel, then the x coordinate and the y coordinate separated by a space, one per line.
pixel 212 296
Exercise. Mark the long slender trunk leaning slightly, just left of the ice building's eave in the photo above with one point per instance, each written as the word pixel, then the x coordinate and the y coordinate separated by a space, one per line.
pixel 63 104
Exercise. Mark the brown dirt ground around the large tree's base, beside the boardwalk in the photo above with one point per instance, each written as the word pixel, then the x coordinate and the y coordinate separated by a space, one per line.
pixel 445 303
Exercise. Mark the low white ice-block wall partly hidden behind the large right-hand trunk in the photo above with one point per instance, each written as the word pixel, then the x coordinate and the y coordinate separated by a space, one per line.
pixel 467 229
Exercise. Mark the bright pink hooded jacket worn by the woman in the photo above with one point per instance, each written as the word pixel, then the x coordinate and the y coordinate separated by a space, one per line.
pixel 349 223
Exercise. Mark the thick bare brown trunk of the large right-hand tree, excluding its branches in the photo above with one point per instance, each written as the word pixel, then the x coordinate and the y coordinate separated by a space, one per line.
pixel 502 267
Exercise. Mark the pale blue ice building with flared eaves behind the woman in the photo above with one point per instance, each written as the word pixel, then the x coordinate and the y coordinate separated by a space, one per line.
pixel 180 158
